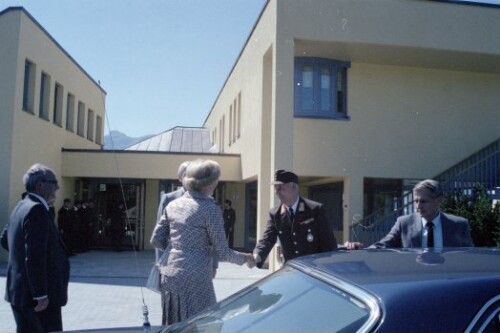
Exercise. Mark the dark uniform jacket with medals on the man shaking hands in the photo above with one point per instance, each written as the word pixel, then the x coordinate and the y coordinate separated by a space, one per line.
pixel 310 232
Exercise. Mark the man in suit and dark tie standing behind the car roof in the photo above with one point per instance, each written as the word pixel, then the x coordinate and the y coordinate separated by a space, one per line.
pixel 428 227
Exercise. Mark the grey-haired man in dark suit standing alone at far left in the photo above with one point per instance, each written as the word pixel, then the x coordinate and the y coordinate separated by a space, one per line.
pixel 38 267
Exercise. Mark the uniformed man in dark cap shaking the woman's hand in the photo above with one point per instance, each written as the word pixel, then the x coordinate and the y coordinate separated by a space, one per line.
pixel 300 224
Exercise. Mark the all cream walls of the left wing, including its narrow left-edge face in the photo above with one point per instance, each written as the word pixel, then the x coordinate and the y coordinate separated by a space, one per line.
pixel 27 138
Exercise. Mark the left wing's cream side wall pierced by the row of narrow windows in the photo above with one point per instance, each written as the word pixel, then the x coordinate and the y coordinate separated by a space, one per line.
pixel 35 139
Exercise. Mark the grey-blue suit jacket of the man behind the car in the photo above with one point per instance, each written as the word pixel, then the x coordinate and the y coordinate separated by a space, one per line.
pixel 407 232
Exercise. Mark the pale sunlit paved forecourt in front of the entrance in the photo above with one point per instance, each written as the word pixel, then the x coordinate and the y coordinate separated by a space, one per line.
pixel 106 290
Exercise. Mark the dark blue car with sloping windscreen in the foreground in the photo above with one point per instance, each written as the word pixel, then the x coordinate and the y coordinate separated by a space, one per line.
pixel 371 290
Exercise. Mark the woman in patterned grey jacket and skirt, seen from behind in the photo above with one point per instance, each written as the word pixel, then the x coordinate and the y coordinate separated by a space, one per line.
pixel 191 232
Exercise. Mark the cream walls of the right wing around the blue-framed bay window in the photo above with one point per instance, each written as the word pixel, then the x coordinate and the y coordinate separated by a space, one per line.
pixel 423 86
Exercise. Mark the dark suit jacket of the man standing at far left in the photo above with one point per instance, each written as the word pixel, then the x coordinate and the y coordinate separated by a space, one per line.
pixel 37 264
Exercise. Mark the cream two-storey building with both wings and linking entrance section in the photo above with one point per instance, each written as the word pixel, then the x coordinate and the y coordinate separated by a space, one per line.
pixel 359 98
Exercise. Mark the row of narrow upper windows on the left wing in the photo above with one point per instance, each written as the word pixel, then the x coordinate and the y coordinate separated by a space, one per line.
pixel 61 112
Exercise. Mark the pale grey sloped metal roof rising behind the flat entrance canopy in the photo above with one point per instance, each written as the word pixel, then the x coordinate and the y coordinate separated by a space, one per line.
pixel 177 139
